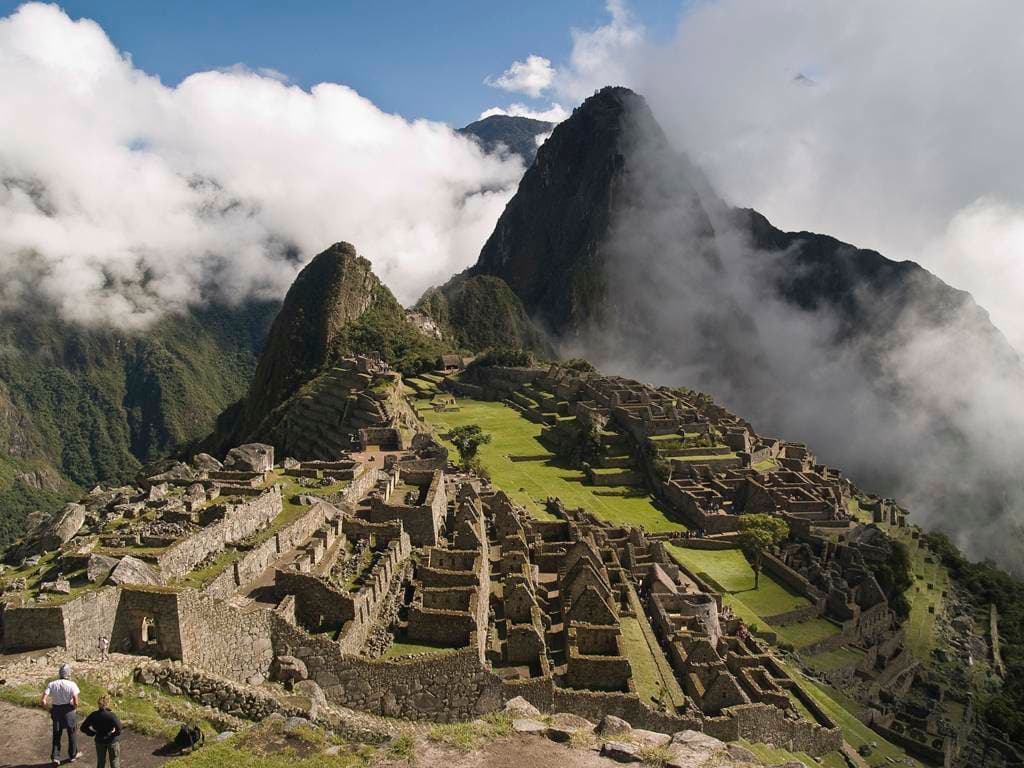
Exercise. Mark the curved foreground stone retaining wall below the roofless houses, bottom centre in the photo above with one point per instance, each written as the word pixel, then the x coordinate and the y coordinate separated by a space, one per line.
pixel 443 688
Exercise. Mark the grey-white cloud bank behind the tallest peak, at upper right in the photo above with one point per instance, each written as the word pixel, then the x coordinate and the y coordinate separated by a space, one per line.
pixel 908 143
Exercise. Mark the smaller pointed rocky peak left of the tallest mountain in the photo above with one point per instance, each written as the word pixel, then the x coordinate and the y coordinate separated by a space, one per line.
pixel 335 308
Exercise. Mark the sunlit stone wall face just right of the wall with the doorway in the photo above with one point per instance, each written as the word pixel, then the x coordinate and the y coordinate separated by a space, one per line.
pixel 218 637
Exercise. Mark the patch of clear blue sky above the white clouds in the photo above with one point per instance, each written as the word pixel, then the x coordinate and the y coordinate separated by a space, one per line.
pixel 425 59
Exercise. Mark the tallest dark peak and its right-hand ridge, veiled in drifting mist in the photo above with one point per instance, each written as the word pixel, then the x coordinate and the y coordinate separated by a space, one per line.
pixel 620 250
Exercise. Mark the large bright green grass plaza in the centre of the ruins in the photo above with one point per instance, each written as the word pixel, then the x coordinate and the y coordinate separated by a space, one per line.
pixel 532 483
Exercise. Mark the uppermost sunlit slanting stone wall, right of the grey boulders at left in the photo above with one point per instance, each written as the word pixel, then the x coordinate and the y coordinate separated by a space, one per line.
pixel 241 522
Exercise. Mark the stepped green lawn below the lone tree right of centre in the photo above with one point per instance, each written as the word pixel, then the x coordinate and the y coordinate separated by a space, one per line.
pixel 730 570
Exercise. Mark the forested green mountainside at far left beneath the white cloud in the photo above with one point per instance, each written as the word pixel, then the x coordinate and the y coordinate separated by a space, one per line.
pixel 81 406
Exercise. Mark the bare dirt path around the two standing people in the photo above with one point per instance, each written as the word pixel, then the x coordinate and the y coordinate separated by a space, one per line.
pixel 25 743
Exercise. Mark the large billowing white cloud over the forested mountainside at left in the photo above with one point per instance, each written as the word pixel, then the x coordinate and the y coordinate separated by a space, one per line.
pixel 122 199
